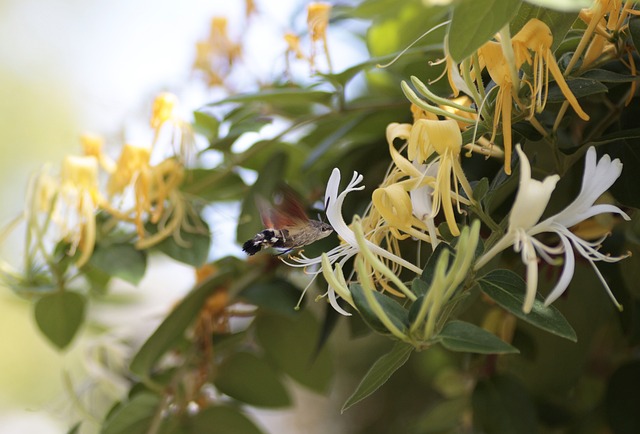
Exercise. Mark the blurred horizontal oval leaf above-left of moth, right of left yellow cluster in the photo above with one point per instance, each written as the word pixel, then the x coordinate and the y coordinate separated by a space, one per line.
pixel 214 185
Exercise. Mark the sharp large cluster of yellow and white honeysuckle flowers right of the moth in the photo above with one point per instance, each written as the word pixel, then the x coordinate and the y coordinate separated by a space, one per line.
pixel 426 176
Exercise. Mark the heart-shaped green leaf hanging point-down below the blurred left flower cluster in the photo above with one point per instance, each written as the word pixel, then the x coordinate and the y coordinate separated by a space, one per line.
pixel 59 316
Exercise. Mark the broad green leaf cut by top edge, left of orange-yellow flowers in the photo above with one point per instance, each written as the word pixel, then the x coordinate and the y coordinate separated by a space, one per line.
pixel 474 22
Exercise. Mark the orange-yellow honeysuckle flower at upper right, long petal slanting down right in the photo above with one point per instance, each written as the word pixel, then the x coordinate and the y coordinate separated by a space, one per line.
pixel 535 36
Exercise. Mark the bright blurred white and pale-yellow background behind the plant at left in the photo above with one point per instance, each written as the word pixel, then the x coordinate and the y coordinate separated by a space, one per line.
pixel 70 66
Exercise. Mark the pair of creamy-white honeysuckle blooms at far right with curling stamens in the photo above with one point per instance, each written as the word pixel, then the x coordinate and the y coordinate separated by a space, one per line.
pixel 532 199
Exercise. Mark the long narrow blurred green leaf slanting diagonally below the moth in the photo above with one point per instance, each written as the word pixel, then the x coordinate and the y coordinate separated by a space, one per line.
pixel 174 326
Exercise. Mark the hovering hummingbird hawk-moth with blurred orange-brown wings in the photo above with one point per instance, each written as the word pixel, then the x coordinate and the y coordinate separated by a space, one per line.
pixel 286 226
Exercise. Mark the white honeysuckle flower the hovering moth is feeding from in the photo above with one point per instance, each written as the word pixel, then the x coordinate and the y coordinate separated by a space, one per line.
pixel 349 248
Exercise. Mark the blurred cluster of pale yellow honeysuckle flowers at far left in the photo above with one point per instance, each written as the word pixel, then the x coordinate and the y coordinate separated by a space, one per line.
pixel 136 191
